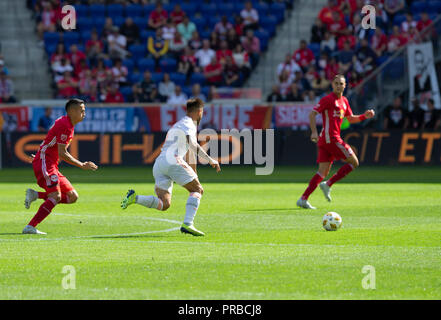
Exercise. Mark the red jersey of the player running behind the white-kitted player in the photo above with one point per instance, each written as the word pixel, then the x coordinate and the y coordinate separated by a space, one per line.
pixel 60 133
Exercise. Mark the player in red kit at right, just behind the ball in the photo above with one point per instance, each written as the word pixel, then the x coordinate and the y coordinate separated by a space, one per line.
pixel 333 108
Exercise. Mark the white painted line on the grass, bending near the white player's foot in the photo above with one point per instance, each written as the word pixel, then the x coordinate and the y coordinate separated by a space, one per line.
pixel 42 238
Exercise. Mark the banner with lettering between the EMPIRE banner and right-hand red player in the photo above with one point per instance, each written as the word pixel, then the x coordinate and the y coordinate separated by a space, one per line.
pixel 294 115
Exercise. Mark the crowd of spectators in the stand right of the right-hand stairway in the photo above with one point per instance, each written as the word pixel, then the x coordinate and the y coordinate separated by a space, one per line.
pixel 339 44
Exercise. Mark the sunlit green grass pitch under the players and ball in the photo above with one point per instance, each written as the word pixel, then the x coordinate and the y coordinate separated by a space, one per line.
pixel 258 245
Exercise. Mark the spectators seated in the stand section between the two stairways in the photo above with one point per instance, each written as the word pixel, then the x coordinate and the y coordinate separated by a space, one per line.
pixel 96 69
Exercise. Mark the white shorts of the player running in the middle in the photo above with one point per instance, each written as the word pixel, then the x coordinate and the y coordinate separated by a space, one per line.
pixel 165 173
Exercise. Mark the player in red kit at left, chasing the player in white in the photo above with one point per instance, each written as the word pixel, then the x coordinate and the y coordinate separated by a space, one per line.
pixel 45 163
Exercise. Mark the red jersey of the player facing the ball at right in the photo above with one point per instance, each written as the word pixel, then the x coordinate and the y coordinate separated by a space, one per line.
pixel 333 111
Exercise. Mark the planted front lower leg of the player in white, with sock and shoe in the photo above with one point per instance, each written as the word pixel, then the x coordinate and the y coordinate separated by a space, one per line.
pixel 191 207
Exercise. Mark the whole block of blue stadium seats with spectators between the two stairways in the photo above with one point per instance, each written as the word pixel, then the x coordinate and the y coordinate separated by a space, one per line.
pixel 142 35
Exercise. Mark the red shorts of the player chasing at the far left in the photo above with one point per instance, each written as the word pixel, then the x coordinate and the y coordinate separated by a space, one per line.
pixel 49 178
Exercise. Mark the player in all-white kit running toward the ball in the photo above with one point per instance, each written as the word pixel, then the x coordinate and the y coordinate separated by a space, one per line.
pixel 170 167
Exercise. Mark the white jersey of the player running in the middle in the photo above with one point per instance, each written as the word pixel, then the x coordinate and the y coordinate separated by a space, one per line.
pixel 176 144
